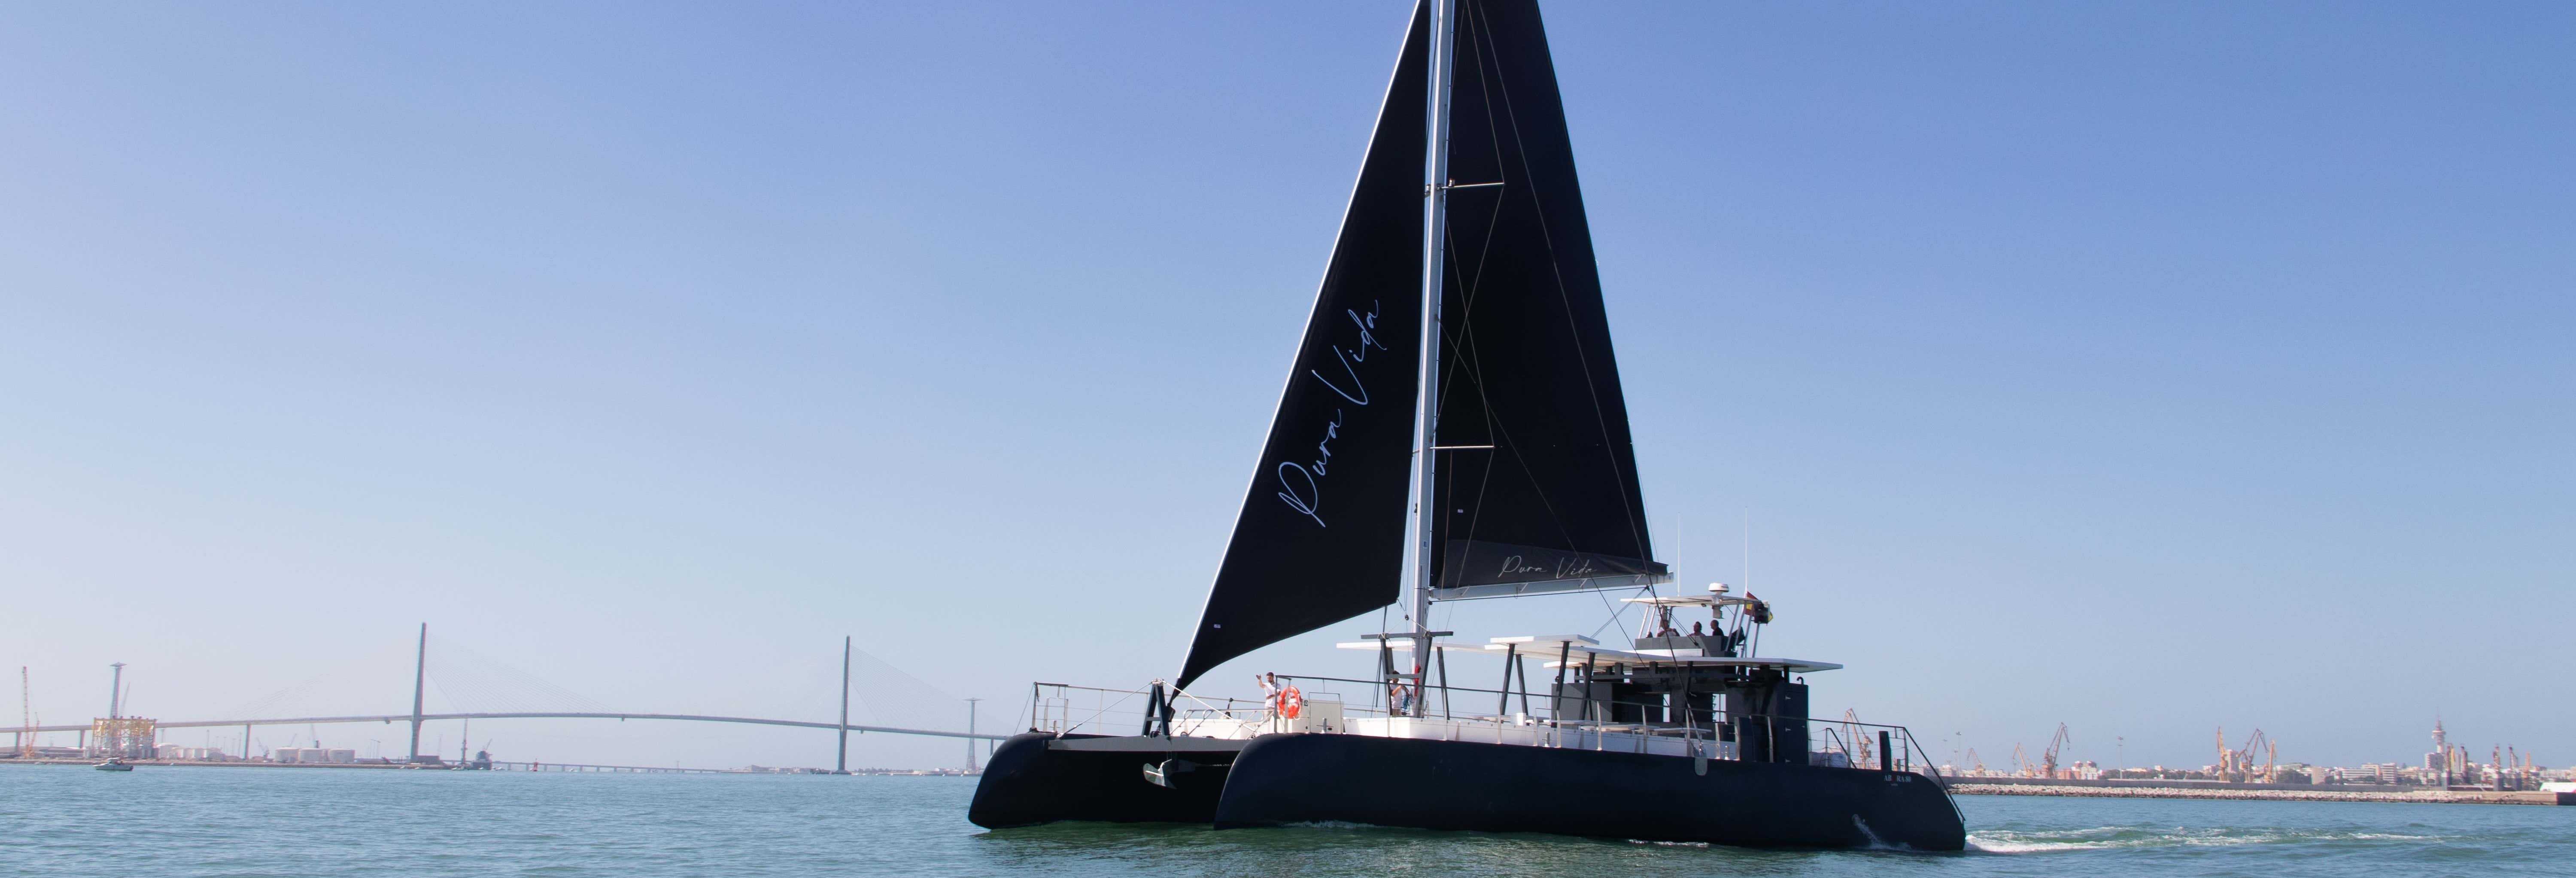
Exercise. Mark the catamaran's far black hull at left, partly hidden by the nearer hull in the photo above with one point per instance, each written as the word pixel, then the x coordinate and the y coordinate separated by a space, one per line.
pixel 1042 779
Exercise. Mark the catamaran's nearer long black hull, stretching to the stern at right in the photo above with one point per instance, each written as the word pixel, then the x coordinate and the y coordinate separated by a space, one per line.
pixel 1423 784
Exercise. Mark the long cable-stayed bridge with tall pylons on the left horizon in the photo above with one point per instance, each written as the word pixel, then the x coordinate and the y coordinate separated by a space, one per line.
pixel 421 717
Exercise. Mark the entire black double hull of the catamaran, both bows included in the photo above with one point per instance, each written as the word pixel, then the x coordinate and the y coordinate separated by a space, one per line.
pixel 1349 779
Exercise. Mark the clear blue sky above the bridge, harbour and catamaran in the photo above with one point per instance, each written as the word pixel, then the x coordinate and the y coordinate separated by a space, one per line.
pixel 2137 367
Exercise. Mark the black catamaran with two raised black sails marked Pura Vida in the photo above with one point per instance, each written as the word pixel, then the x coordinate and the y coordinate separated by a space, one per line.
pixel 1454 431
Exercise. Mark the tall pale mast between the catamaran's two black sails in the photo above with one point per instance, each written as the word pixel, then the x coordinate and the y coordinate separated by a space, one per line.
pixel 1428 398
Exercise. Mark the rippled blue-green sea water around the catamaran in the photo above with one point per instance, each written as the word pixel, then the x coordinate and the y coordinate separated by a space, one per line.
pixel 383 823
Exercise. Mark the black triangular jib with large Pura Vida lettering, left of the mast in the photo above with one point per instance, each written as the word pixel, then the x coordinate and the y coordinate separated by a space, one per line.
pixel 1323 527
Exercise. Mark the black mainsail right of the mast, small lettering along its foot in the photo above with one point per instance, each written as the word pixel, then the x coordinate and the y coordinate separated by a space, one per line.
pixel 1524 341
